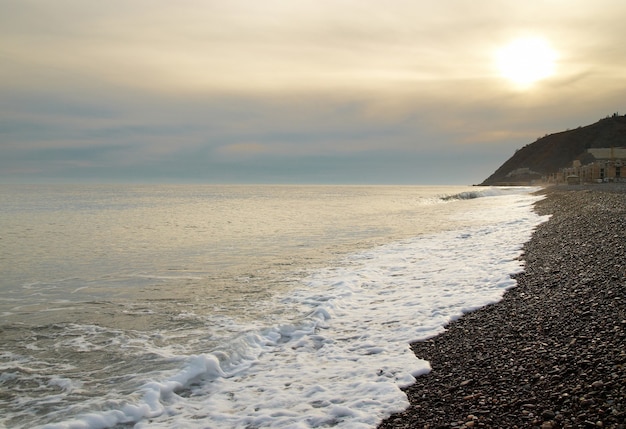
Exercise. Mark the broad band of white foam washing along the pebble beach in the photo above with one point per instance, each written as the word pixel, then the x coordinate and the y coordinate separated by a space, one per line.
pixel 344 362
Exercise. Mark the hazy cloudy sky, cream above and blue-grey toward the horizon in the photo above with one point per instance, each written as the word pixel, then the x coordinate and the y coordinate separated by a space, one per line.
pixel 294 91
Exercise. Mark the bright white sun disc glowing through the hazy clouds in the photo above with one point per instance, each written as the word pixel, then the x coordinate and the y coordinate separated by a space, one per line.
pixel 526 60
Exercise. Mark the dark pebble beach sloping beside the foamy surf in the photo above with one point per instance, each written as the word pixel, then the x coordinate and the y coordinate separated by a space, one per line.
pixel 552 353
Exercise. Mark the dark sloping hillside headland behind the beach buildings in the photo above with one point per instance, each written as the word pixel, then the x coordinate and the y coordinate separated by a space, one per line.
pixel 552 152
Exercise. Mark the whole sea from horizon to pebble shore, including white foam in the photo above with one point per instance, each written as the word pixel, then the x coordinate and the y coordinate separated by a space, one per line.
pixel 238 306
